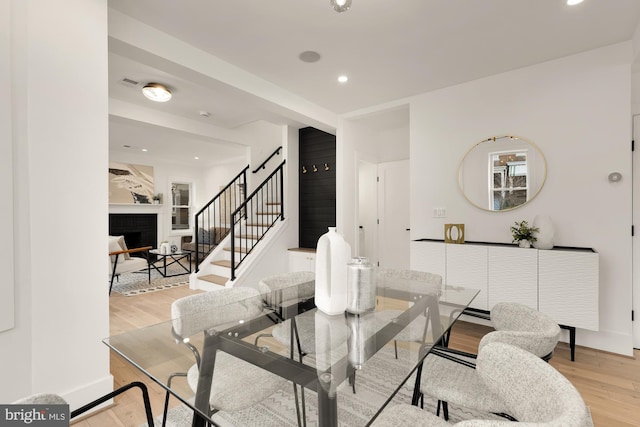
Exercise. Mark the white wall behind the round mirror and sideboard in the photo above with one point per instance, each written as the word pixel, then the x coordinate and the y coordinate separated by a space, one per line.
pixel 577 110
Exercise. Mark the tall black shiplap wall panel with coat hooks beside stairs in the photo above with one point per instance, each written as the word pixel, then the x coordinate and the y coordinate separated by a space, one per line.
pixel 317 189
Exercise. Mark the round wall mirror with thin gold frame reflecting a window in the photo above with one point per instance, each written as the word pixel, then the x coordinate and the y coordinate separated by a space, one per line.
pixel 502 173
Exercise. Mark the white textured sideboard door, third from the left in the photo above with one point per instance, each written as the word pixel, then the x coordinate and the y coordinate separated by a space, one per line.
pixel 513 276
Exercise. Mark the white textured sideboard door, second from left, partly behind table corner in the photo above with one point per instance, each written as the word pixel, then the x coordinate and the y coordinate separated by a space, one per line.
pixel 467 267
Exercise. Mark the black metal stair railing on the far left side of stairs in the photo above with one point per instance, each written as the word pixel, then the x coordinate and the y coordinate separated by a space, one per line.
pixel 213 221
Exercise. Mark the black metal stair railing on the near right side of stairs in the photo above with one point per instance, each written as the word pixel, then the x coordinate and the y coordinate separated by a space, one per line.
pixel 255 216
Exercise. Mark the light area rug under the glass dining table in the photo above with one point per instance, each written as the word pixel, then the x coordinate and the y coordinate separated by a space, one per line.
pixel 372 387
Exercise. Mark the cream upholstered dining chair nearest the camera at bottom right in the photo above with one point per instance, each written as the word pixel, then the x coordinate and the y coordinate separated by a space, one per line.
pixel 533 392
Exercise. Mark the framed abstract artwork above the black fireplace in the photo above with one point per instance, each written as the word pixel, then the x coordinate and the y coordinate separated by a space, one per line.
pixel 130 184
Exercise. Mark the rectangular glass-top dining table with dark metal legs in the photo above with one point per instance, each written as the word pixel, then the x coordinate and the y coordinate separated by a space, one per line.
pixel 353 364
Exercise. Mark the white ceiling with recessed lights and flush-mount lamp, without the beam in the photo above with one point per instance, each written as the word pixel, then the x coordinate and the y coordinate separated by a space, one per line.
pixel 389 49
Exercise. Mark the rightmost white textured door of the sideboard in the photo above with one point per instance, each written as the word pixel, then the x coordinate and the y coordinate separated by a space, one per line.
pixel 568 287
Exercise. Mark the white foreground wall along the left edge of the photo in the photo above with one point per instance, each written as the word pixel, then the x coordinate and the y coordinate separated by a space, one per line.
pixel 60 131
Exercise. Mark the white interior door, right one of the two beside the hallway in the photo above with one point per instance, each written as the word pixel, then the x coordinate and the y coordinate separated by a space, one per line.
pixel 393 214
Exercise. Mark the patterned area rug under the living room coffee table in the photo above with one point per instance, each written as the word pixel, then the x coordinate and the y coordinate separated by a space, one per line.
pixel 137 283
